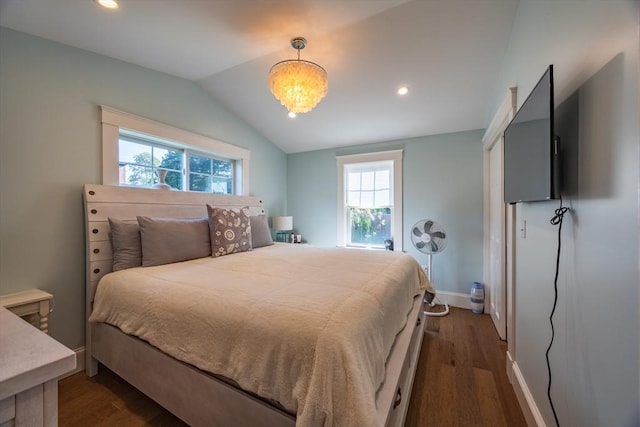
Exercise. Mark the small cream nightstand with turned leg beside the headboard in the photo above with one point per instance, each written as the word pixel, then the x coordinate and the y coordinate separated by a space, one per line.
pixel 33 305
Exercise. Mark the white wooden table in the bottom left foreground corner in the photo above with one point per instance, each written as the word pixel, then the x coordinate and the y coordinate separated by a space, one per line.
pixel 30 364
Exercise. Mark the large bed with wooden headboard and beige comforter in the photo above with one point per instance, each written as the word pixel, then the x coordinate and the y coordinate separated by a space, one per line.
pixel 281 335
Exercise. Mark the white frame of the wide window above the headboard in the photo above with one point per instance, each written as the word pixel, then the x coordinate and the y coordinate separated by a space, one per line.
pixel 113 120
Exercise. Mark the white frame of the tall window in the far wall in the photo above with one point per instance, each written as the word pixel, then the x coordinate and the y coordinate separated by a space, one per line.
pixel 396 187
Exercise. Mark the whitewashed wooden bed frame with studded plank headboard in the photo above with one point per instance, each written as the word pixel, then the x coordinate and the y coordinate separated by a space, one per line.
pixel 195 396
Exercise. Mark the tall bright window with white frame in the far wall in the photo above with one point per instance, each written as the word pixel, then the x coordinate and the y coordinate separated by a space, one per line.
pixel 370 199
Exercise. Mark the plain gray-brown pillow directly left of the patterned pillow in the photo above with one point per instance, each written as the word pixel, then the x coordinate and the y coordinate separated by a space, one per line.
pixel 167 240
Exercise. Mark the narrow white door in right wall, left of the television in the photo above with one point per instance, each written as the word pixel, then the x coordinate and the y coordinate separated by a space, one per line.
pixel 495 283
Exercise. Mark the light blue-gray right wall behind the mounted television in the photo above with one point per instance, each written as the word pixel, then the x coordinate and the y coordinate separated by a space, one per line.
pixel 594 359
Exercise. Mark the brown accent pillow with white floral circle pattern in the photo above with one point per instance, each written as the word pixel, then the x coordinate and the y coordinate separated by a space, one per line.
pixel 230 230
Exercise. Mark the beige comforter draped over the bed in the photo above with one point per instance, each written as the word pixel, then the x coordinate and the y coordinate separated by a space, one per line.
pixel 307 327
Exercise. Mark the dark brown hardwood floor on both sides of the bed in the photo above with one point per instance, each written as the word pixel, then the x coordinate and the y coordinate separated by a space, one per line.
pixel 460 381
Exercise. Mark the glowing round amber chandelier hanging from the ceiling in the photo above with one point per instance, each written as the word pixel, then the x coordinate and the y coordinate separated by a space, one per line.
pixel 298 85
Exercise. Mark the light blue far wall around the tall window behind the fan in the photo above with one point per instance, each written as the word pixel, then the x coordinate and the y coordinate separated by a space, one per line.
pixel 442 180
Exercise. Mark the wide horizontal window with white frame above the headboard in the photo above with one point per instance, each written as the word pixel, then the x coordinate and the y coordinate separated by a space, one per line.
pixel 136 149
